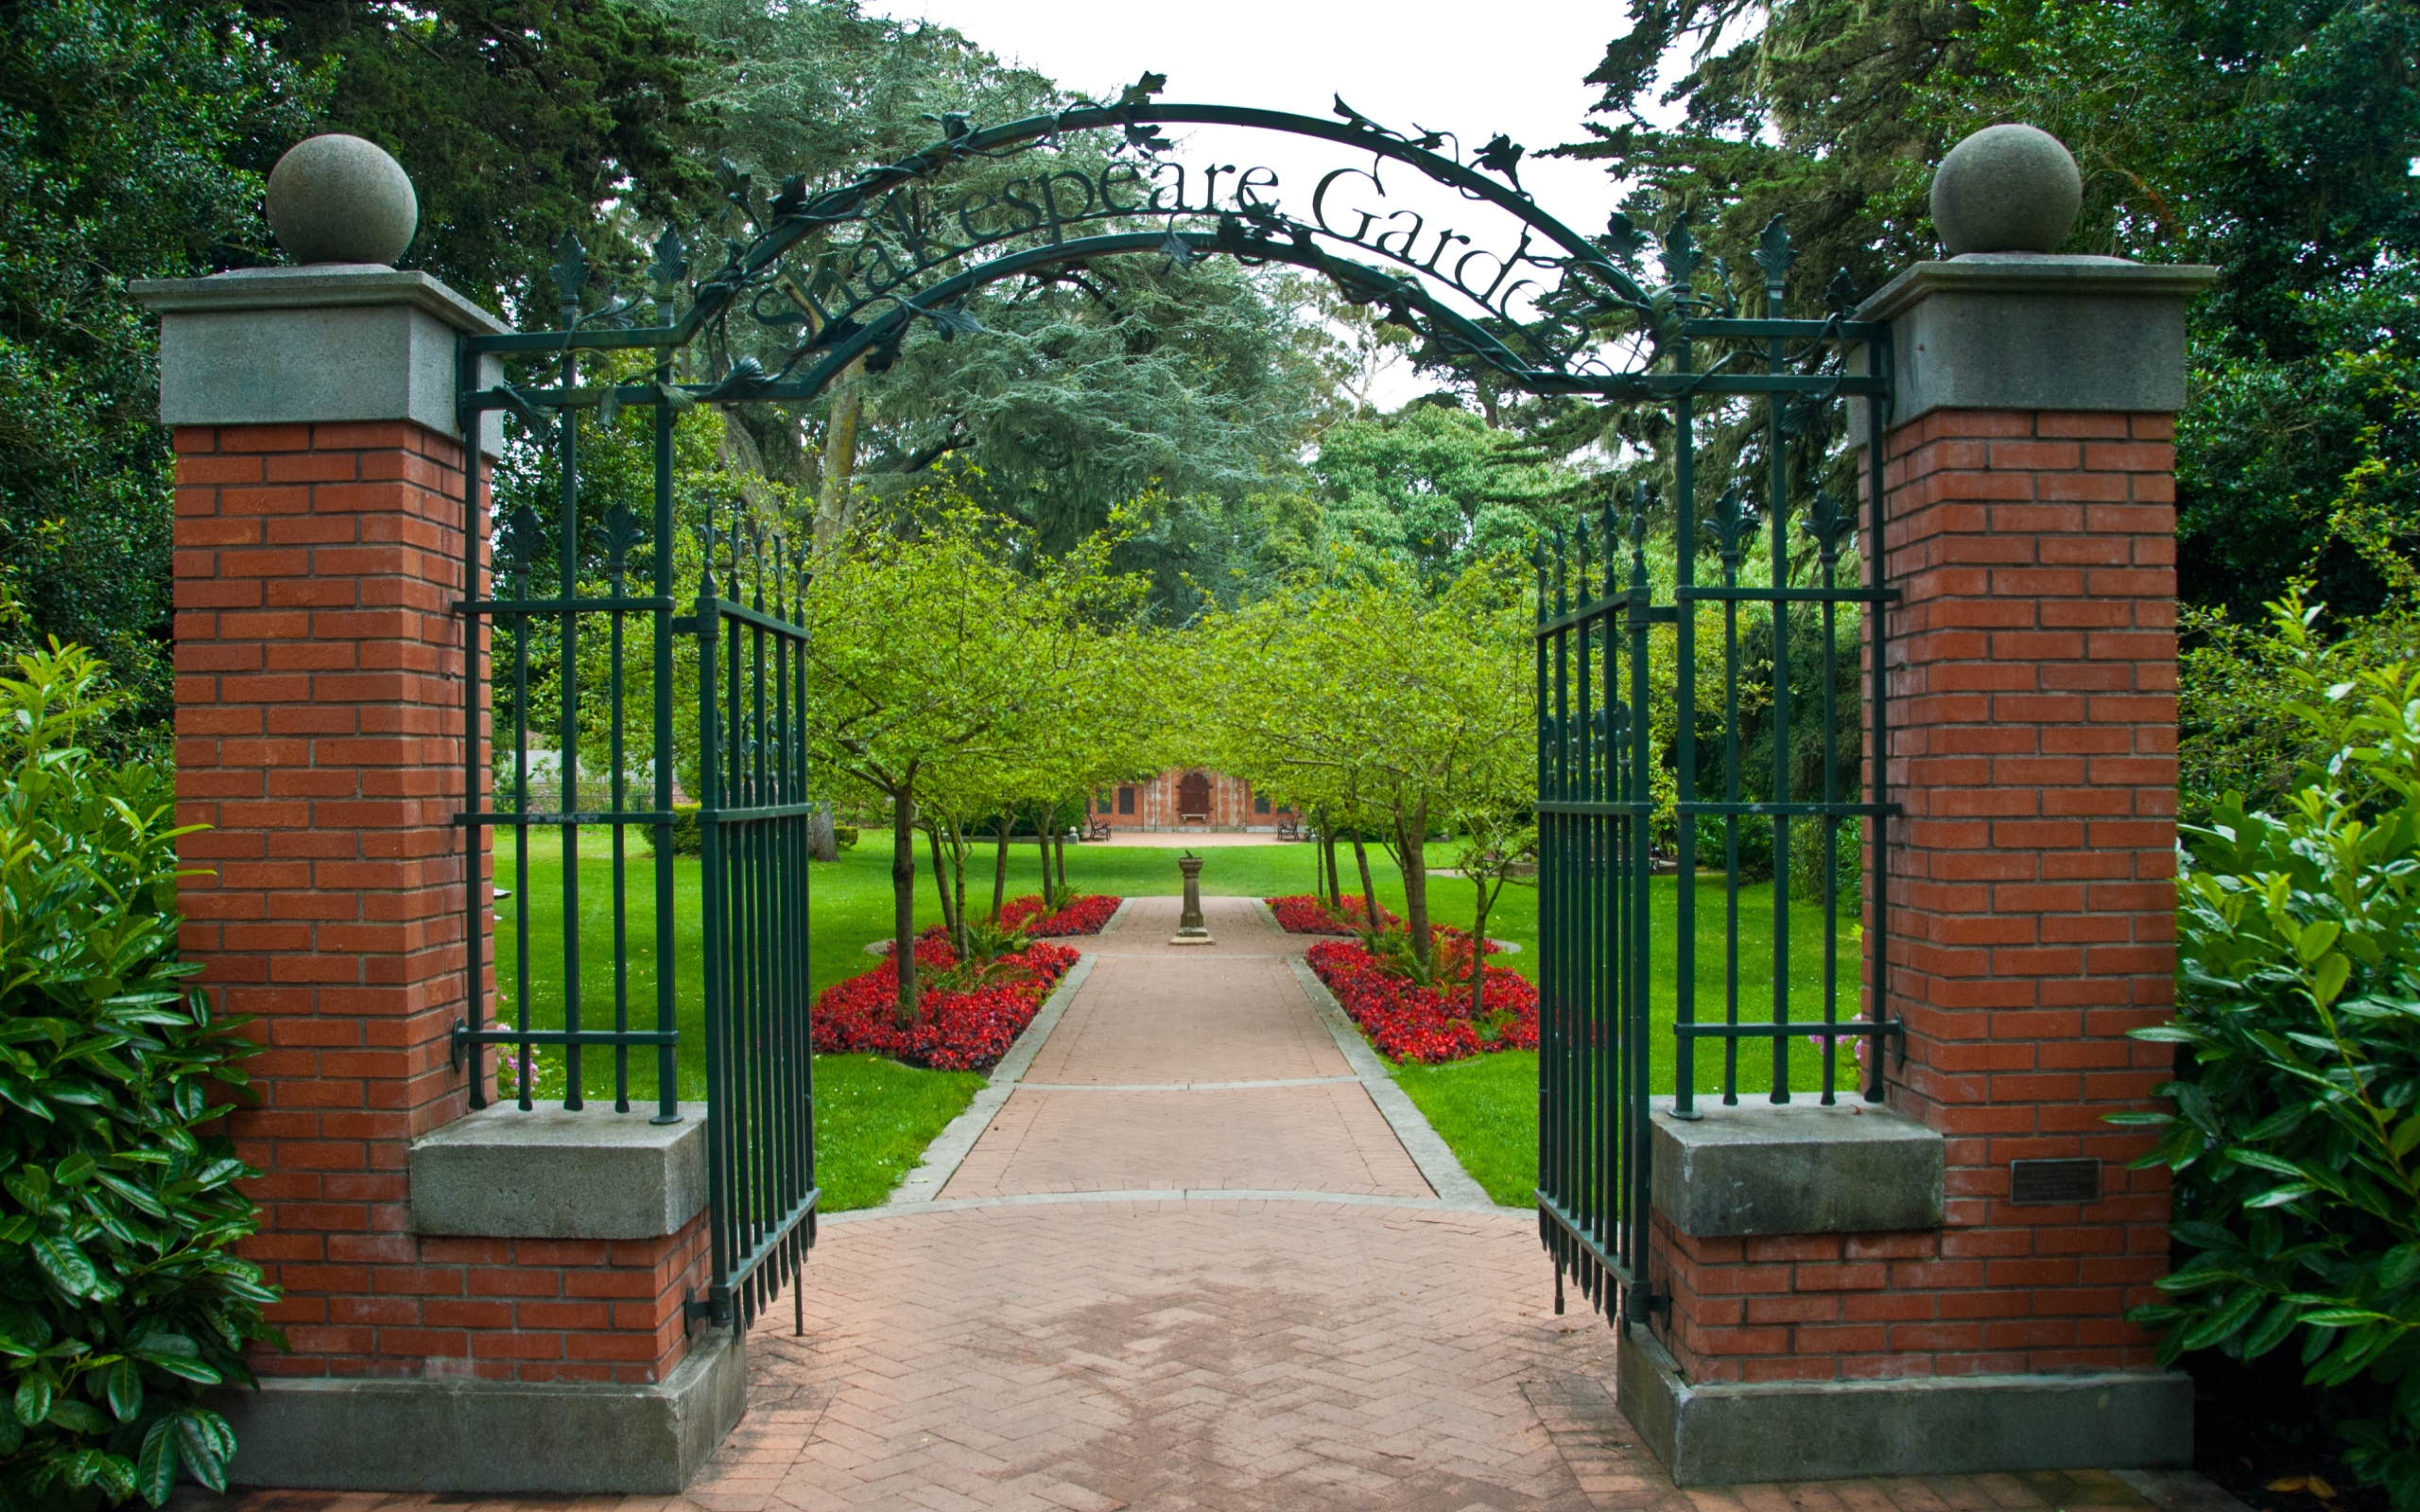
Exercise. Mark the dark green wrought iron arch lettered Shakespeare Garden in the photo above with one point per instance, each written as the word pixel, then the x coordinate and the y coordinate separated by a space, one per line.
pixel 921 253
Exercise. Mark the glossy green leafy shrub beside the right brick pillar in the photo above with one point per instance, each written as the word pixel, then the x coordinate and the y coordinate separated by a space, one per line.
pixel 2295 1136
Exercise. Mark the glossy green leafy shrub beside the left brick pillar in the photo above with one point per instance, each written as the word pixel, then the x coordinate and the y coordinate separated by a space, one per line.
pixel 120 1291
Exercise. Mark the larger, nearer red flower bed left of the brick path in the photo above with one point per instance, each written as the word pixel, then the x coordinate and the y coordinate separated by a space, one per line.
pixel 955 1032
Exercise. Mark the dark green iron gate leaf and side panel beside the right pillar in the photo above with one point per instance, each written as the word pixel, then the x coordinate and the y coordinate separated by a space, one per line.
pixel 1649 824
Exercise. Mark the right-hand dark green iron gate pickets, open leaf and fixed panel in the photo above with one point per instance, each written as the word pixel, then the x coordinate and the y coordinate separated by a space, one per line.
pixel 1603 923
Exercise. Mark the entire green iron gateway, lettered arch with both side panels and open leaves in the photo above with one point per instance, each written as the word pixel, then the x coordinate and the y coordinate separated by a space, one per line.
pixel 836 279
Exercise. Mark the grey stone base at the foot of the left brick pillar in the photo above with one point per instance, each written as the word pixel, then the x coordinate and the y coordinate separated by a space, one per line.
pixel 490 1438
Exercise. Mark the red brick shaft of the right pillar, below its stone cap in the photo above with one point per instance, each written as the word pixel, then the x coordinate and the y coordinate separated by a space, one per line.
pixel 2032 879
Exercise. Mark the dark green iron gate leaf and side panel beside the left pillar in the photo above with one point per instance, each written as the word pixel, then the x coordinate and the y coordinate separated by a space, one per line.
pixel 606 671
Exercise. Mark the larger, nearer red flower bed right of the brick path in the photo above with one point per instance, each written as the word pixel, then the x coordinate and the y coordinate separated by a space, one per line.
pixel 1429 1025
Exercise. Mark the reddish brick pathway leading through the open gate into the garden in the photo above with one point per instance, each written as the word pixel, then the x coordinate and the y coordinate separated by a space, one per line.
pixel 1093 1317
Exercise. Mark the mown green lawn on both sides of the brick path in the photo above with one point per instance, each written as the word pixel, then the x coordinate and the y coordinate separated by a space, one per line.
pixel 875 1119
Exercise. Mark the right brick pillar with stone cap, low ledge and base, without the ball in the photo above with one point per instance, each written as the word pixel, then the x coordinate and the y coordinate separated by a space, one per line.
pixel 1949 1279
